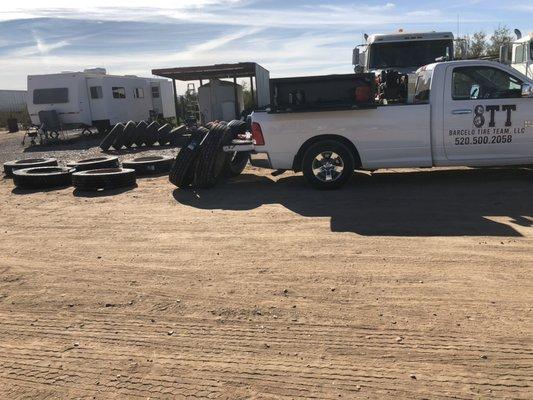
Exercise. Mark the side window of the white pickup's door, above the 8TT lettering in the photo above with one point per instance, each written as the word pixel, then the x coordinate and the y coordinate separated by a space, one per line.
pixel 469 83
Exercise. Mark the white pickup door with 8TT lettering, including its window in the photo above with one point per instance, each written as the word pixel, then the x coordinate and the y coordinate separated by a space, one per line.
pixel 485 116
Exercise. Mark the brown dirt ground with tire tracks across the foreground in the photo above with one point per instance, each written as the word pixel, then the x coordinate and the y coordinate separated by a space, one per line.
pixel 411 284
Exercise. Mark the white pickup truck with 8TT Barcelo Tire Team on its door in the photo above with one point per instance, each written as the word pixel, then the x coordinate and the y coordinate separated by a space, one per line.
pixel 466 113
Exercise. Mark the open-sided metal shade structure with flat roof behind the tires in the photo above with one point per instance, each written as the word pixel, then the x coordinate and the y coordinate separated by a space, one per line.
pixel 260 91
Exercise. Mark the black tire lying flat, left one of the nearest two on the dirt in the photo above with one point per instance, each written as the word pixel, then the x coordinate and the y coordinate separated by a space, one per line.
pixel 43 177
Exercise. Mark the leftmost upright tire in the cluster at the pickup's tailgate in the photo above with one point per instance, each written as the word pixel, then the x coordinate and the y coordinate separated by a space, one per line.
pixel 182 170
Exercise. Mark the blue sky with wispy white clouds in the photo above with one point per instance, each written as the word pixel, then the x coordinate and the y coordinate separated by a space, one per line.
pixel 286 37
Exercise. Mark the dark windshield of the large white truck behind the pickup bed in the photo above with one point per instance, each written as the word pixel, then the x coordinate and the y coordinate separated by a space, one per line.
pixel 407 54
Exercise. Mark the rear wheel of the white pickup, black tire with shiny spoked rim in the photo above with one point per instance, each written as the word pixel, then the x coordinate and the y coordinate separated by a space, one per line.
pixel 337 171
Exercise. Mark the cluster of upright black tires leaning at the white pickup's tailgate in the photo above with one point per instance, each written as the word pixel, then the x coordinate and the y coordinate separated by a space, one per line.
pixel 202 163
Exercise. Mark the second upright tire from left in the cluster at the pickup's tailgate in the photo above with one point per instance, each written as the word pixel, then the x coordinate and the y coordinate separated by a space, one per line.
pixel 212 159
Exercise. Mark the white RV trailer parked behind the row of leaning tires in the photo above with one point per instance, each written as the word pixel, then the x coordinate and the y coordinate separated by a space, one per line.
pixel 94 98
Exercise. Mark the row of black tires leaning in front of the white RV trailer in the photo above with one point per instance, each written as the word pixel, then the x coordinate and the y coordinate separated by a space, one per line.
pixel 139 134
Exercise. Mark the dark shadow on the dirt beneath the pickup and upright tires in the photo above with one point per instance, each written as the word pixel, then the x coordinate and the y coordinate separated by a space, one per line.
pixel 420 203
